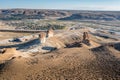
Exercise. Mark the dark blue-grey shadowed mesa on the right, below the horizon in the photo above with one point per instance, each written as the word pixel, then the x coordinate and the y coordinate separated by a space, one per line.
pixel 107 16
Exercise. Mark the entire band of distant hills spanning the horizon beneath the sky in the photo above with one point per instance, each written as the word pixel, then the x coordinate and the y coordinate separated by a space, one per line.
pixel 18 14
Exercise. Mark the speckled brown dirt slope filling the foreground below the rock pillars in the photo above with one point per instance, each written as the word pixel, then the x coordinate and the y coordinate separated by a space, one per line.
pixel 65 64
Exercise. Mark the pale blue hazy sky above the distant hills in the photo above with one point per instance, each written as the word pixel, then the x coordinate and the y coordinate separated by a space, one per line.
pixel 62 4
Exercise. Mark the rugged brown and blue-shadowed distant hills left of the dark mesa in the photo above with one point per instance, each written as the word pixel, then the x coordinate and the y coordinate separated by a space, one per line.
pixel 18 14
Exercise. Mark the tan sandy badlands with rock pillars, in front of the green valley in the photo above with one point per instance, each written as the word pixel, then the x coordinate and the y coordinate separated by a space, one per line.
pixel 60 55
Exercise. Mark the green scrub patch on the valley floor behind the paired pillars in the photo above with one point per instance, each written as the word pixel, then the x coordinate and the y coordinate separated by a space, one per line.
pixel 36 24
